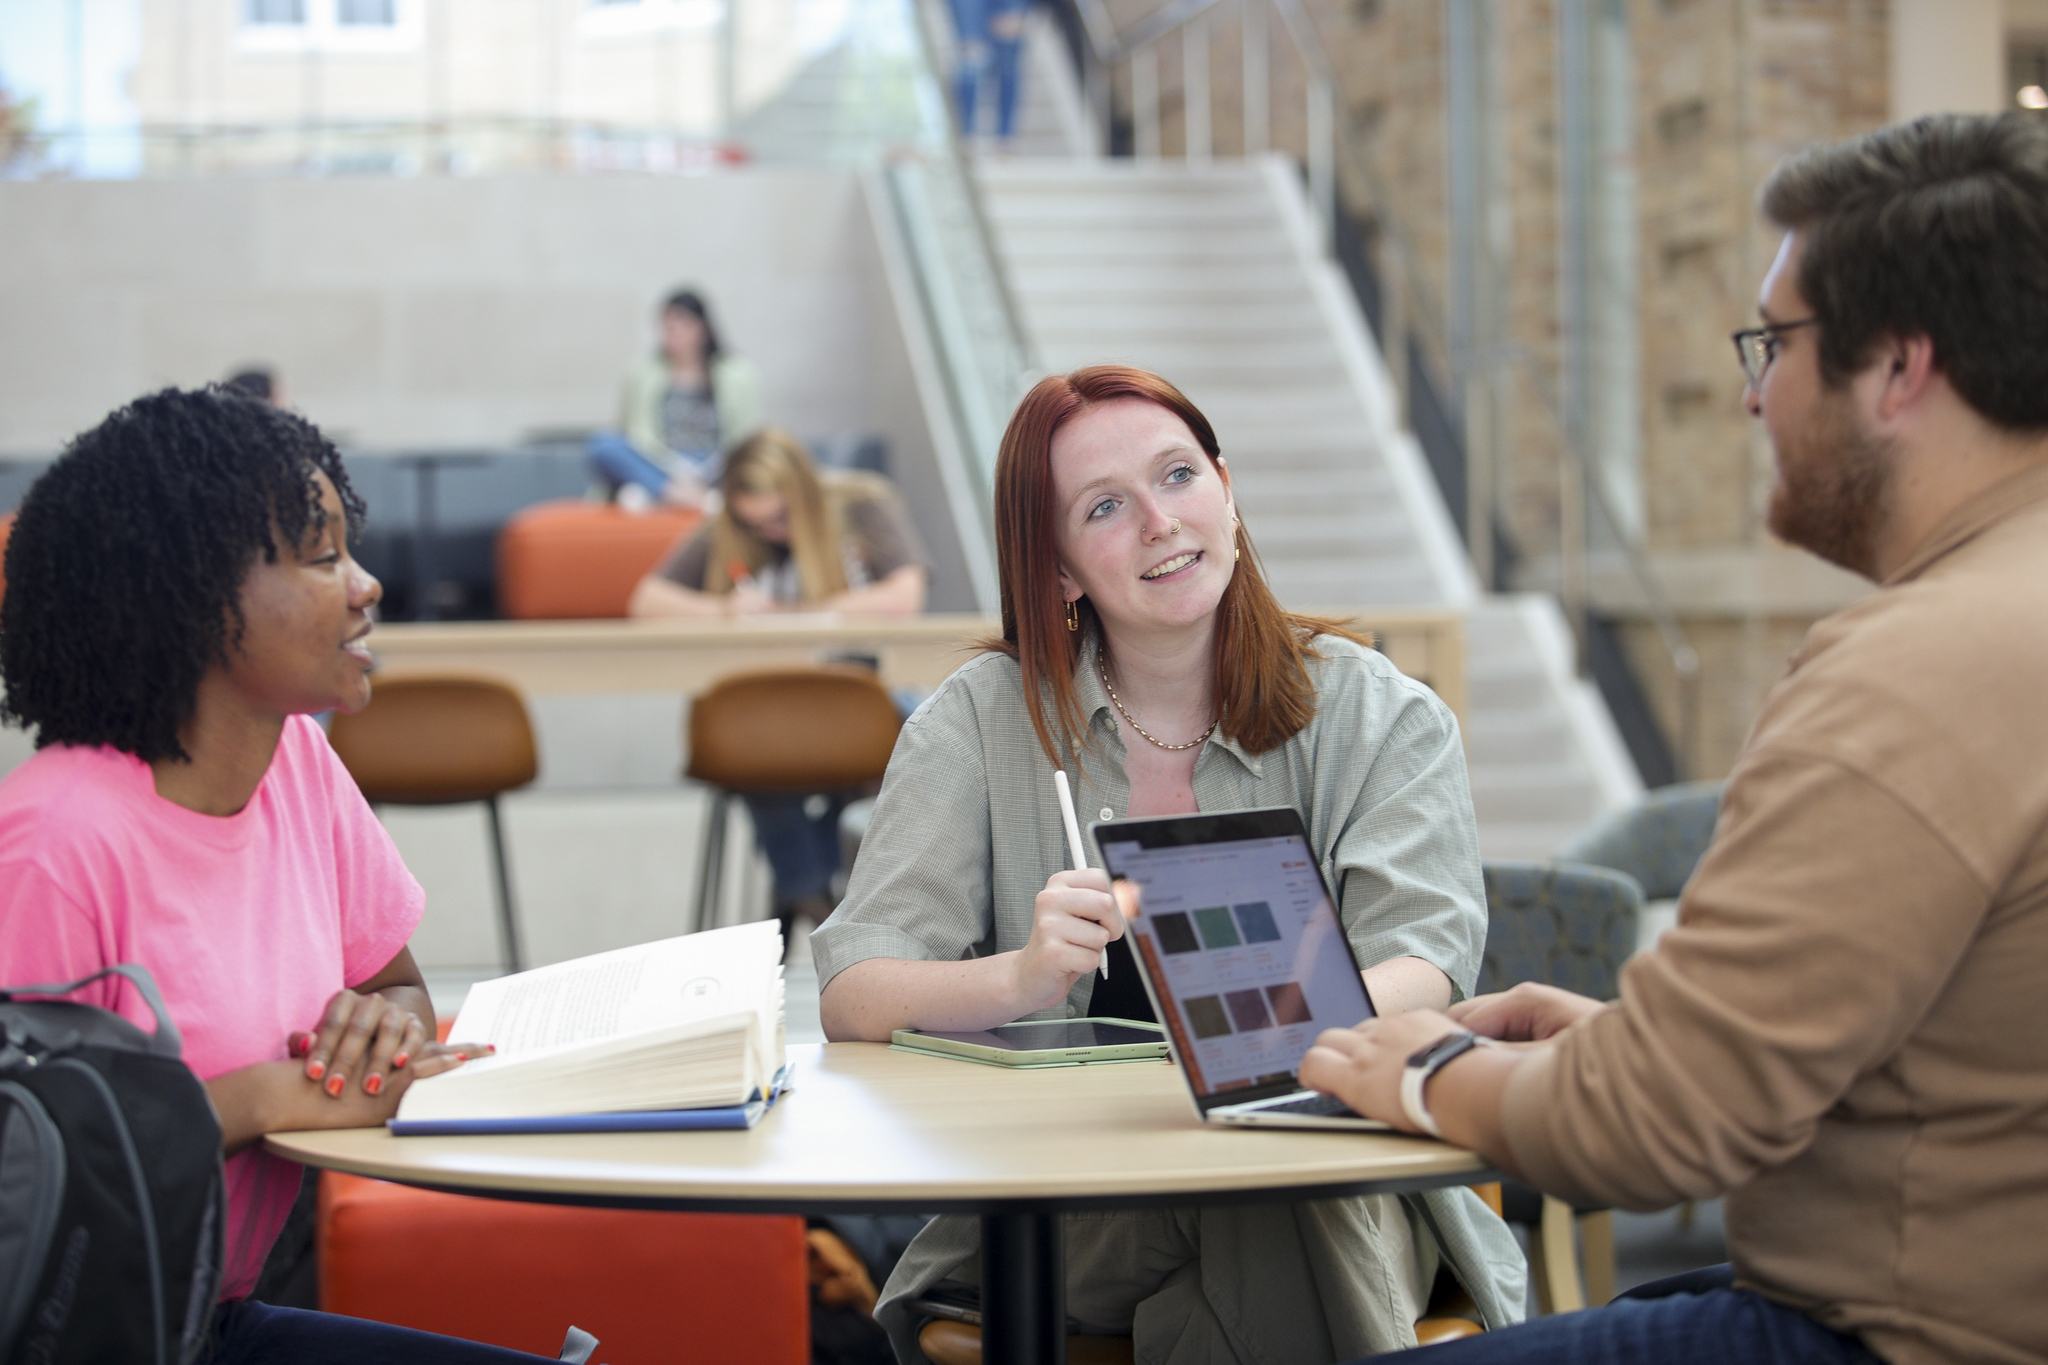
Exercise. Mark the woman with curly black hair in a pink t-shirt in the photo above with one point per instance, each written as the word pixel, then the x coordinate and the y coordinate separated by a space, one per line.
pixel 179 603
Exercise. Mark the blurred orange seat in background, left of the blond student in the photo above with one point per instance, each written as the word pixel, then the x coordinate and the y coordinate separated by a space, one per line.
pixel 574 560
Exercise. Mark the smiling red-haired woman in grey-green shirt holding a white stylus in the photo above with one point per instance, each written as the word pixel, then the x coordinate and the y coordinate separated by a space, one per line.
pixel 1146 656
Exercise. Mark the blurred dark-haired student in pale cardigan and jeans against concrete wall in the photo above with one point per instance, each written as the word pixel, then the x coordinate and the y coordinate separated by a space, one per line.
pixel 681 406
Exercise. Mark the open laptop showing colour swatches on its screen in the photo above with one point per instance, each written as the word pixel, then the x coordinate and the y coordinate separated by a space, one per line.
pixel 1244 959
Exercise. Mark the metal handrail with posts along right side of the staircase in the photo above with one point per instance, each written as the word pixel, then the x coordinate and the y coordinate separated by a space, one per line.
pixel 1332 152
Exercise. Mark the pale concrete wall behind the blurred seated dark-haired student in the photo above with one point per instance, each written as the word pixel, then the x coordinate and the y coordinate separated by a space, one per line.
pixel 425 312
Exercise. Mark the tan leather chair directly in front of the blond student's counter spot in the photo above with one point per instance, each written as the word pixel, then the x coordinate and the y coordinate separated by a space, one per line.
pixel 783 732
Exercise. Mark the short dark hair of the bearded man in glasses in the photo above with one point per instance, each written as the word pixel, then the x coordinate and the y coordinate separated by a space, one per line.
pixel 1934 228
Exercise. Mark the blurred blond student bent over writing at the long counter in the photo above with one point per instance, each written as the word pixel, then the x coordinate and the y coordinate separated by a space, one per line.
pixel 790 537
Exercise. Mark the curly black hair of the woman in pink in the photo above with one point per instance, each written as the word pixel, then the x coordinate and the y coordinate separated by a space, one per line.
pixel 126 568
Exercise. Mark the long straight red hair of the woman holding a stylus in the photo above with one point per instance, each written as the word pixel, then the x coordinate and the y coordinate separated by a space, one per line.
pixel 1263 682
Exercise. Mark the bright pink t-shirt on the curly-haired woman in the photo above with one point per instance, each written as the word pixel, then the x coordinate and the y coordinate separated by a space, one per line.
pixel 249 922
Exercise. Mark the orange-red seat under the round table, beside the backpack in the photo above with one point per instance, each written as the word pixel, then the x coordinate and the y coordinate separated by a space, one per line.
pixel 648 1286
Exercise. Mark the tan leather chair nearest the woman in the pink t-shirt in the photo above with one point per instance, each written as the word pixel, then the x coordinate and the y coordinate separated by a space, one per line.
pixel 441 742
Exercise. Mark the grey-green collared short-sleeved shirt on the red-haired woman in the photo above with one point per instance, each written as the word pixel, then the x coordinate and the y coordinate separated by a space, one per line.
pixel 968 828
